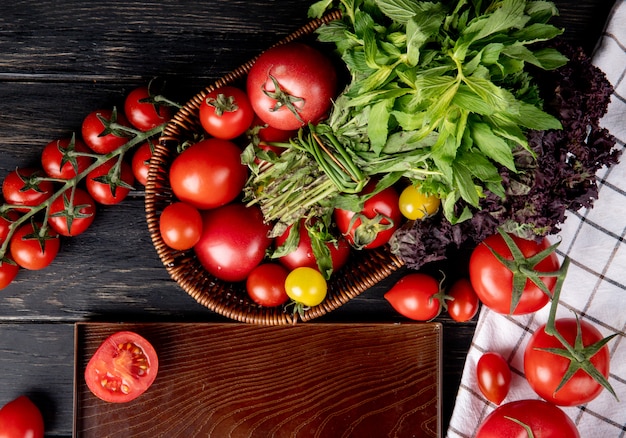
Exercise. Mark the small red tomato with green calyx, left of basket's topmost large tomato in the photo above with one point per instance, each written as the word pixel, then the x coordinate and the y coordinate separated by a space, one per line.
pixel 226 113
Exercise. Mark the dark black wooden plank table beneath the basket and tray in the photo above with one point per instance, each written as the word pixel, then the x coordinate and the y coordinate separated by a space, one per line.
pixel 61 59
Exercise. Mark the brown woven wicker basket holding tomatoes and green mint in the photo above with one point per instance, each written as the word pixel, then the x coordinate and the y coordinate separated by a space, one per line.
pixel 363 270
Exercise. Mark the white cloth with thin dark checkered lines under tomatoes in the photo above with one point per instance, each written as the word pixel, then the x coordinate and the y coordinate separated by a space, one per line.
pixel 595 286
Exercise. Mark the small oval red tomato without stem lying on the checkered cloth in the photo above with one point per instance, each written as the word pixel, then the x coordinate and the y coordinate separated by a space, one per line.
pixel 494 376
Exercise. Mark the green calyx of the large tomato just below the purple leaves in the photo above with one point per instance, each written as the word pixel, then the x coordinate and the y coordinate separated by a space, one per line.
pixel 523 268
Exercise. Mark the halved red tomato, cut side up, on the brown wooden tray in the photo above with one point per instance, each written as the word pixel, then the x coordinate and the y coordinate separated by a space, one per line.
pixel 122 368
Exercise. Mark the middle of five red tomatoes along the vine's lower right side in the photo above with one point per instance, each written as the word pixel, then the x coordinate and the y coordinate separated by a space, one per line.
pixel 72 215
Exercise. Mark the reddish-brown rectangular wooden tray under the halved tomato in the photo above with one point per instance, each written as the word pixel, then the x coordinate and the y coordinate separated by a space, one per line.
pixel 242 380
